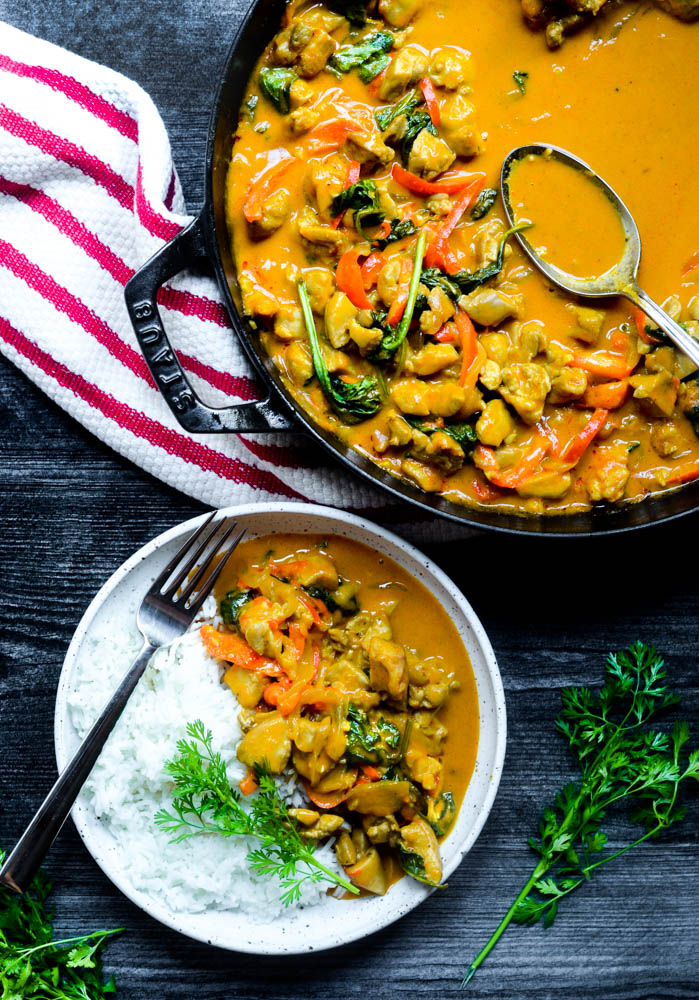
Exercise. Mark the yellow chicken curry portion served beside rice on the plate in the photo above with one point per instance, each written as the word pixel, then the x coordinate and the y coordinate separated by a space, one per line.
pixel 349 672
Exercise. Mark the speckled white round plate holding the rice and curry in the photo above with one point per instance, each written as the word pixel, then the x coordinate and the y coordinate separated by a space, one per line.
pixel 334 922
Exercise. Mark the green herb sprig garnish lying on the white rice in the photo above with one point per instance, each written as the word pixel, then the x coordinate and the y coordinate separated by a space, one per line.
pixel 204 802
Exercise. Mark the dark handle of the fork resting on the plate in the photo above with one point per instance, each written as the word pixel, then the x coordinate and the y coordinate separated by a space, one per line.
pixel 26 859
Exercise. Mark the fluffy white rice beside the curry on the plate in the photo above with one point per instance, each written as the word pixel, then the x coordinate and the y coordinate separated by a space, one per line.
pixel 128 784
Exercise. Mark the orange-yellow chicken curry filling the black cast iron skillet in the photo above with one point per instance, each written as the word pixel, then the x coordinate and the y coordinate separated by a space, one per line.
pixel 373 255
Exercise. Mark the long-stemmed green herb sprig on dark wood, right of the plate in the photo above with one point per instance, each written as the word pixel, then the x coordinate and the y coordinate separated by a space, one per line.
pixel 619 762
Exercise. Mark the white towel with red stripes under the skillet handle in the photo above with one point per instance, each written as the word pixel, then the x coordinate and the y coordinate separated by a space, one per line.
pixel 88 192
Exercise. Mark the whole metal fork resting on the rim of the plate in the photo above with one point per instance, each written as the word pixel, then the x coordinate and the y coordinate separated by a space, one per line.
pixel 166 612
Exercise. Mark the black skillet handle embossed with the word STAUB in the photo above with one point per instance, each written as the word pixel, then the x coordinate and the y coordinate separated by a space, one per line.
pixel 186 249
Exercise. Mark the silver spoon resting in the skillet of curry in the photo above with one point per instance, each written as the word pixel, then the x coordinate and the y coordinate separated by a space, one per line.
pixel 620 279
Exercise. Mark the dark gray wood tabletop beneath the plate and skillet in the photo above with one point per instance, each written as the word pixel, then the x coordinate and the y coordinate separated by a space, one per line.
pixel 72 511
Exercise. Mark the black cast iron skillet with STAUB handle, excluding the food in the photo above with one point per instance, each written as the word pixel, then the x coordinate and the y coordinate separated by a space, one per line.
pixel 206 241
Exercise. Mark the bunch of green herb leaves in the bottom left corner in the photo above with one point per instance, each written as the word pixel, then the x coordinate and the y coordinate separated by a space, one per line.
pixel 35 967
